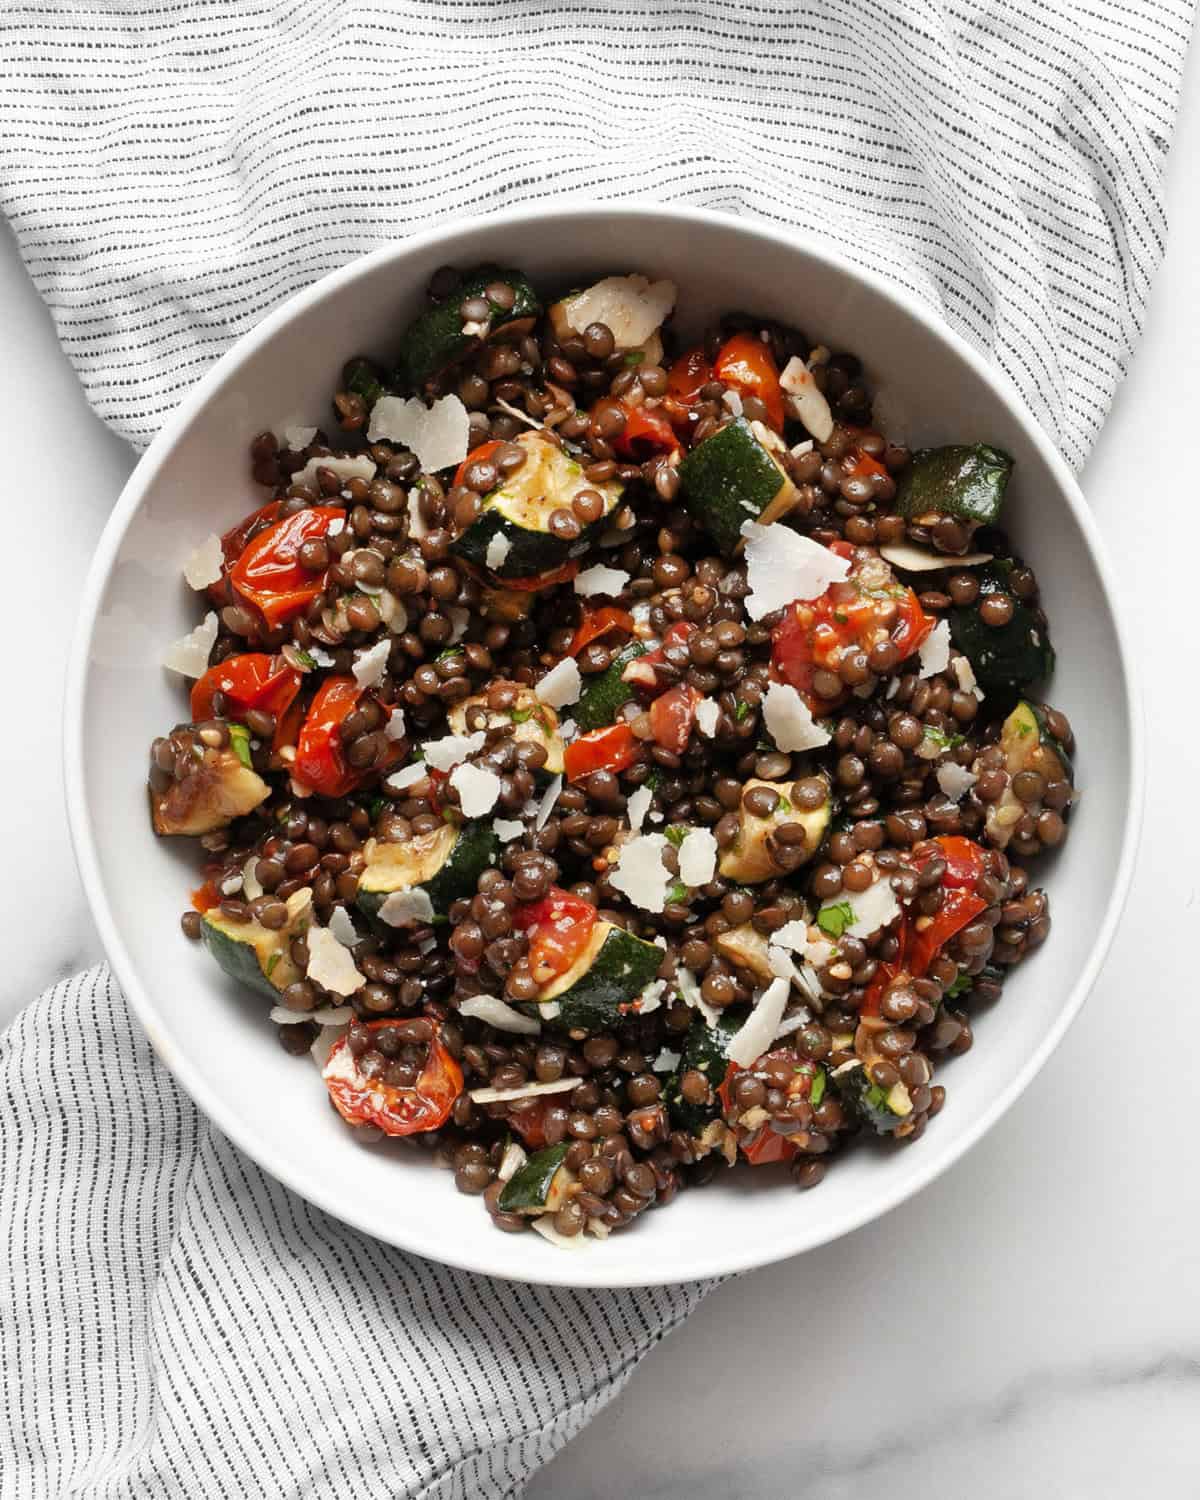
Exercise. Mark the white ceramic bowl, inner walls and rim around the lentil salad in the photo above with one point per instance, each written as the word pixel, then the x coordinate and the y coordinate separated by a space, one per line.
pixel 194 479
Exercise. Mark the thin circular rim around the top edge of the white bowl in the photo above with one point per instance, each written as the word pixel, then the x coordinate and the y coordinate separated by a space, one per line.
pixel 566 1270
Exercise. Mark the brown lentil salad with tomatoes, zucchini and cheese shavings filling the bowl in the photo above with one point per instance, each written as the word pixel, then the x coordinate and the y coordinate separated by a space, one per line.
pixel 617 758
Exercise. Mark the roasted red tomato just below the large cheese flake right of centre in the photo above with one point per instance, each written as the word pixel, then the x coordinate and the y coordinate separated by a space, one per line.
pixel 865 610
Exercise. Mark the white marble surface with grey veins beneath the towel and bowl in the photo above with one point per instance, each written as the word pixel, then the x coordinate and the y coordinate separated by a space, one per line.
pixel 1030 1325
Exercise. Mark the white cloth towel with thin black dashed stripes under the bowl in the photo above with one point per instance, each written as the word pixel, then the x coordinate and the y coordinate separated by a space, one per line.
pixel 172 1321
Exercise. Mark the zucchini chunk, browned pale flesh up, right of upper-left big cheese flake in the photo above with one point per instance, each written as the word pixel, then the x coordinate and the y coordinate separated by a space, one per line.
pixel 521 509
